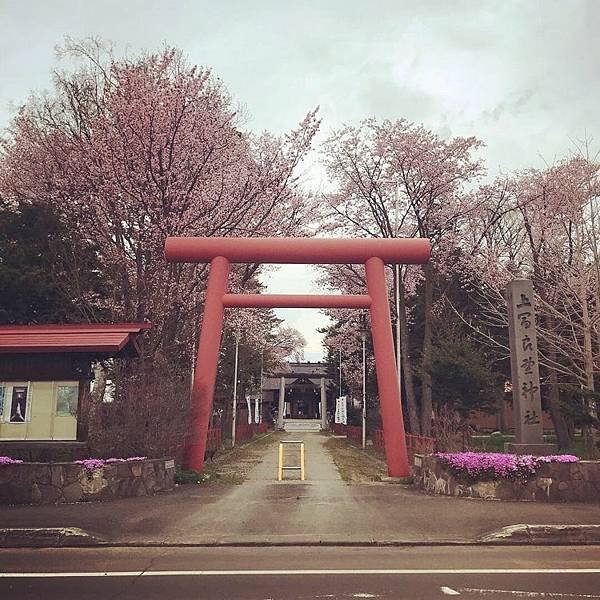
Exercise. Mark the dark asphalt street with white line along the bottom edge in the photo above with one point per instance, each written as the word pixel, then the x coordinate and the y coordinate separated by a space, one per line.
pixel 301 573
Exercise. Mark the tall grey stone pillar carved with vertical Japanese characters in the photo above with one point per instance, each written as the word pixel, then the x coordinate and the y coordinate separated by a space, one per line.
pixel 525 374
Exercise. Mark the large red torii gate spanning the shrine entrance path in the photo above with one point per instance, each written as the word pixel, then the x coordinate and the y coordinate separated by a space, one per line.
pixel 373 253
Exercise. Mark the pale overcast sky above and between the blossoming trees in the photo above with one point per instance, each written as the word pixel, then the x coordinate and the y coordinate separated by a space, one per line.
pixel 521 76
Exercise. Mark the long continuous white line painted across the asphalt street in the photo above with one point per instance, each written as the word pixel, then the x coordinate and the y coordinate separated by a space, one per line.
pixel 279 572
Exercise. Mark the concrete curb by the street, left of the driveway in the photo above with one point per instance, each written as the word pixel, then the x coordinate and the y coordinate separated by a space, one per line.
pixel 46 537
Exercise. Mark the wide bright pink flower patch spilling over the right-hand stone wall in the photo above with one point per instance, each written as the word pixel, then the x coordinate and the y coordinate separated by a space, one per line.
pixel 485 466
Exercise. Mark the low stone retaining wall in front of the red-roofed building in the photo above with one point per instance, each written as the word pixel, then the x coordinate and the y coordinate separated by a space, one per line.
pixel 54 483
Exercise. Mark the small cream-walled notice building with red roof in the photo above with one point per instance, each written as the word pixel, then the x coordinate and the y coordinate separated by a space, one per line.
pixel 45 377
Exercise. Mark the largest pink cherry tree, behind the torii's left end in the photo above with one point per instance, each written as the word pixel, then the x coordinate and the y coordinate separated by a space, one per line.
pixel 135 150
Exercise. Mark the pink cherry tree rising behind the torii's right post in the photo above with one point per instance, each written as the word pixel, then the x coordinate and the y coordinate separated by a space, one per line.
pixel 392 179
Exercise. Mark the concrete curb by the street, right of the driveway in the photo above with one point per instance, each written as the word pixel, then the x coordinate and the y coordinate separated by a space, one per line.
pixel 523 533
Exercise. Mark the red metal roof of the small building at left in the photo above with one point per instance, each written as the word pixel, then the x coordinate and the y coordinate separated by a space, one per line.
pixel 114 339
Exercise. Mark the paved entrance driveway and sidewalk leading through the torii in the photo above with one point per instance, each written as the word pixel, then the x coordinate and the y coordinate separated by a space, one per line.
pixel 322 508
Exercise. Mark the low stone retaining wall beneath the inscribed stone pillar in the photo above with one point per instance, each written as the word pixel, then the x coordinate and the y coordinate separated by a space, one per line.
pixel 553 482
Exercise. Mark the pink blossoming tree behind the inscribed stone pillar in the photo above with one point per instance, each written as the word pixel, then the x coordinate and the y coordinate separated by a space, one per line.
pixel 542 224
